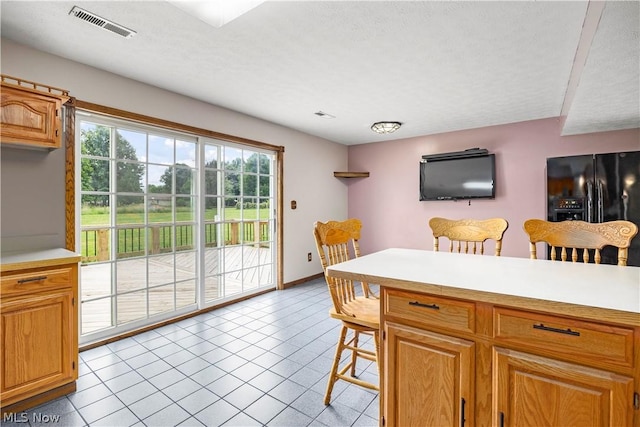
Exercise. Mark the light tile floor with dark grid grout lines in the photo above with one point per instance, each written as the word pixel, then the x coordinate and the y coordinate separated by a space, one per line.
pixel 259 362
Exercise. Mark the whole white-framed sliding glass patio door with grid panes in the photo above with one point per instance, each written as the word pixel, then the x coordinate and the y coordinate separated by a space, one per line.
pixel 169 223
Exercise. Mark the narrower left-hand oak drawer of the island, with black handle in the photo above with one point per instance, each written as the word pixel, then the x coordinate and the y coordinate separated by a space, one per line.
pixel 431 310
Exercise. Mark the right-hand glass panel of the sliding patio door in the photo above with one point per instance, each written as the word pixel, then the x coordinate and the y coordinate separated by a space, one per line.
pixel 239 221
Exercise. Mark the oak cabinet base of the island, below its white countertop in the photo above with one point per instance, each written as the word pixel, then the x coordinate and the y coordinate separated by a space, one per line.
pixel 454 362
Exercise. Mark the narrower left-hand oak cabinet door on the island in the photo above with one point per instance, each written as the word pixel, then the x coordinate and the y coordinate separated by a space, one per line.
pixel 428 378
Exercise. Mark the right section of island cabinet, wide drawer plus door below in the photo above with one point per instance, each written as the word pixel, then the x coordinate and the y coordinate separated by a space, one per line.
pixel 564 371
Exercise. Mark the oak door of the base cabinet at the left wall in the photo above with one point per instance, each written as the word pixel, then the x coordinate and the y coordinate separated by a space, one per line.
pixel 36 334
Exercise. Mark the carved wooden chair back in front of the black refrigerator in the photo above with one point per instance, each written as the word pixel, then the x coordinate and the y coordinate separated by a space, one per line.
pixel 581 235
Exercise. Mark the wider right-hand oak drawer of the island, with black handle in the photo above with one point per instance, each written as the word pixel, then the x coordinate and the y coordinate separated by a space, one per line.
pixel 580 339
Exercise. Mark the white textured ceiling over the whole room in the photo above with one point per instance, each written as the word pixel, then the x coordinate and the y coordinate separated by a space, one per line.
pixel 434 66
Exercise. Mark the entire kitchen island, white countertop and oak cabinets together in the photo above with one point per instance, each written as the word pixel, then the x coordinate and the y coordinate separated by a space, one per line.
pixel 484 340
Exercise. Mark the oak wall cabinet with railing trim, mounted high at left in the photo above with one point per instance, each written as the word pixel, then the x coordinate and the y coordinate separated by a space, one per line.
pixel 31 114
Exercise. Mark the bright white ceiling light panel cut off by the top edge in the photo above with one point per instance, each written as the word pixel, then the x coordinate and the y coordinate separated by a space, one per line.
pixel 216 12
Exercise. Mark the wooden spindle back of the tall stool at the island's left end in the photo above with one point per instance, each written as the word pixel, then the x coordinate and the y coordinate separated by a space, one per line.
pixel 337 241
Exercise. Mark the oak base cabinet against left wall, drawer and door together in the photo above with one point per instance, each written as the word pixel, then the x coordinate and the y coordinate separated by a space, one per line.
pixel 38 332
